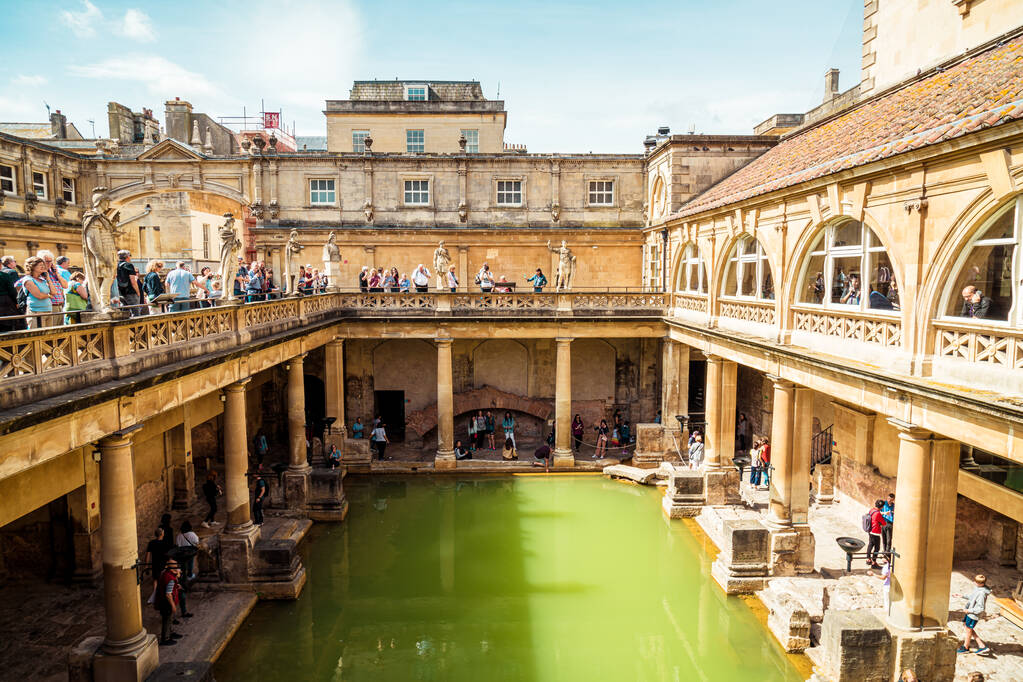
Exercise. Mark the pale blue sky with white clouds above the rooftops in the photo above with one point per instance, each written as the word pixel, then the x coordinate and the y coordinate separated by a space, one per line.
pixel 575 77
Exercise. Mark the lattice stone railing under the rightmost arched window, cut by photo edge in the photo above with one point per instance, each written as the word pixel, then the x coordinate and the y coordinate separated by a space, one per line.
pixel 967 340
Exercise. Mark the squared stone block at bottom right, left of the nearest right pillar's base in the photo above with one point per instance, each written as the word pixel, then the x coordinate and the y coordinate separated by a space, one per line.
pixel 856 648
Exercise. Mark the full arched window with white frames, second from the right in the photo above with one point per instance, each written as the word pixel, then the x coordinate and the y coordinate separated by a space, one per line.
pixel 849 267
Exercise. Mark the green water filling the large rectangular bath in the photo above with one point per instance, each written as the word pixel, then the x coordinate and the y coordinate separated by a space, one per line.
pixel 529 578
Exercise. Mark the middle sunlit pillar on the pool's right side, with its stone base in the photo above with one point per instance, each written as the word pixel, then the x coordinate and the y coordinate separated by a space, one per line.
pixel 791 542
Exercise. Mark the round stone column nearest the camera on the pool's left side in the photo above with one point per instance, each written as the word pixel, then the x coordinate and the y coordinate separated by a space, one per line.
pixel 128 653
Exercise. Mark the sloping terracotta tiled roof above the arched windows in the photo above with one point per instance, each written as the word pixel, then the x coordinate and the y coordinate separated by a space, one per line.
pixel 980 93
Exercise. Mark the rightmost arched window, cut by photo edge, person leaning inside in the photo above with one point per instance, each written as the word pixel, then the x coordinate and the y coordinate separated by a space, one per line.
pixel 984 287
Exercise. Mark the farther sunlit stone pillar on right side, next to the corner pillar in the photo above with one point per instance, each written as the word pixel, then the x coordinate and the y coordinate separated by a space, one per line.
pixel 722 478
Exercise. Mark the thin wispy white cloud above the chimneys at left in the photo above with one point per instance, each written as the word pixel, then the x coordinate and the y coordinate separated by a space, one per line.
pixel 161 77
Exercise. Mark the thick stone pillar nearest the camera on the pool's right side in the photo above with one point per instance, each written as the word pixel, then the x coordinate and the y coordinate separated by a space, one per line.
pixel 923 537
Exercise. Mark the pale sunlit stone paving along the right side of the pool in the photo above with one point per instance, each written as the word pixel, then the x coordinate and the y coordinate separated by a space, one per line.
pixel 863 589
